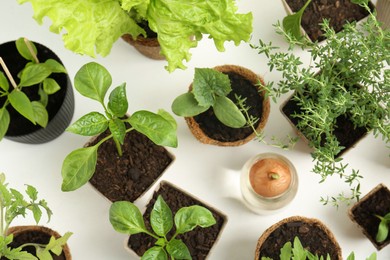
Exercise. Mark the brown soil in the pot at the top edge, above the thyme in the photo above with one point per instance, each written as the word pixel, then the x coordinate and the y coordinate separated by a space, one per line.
pixel 338 12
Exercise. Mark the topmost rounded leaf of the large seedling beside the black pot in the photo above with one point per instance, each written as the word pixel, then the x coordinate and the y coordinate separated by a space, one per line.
pixel 93 81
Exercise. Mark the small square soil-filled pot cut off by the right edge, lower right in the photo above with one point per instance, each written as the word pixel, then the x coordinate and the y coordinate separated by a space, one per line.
pixel 376 202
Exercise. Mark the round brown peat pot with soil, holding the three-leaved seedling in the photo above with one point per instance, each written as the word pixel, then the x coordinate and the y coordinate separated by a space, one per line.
pixel 245 83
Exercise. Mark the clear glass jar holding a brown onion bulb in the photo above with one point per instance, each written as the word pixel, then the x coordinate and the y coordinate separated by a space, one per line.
pixel 269 182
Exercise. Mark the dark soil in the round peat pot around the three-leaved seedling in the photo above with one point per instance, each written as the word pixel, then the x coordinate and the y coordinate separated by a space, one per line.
pixel 214 129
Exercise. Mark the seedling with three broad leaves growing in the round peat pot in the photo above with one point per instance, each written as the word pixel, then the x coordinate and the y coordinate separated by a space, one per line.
pixel 210 89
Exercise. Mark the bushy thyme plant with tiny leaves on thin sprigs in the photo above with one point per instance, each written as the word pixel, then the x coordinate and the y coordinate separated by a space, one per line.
pixel 347 76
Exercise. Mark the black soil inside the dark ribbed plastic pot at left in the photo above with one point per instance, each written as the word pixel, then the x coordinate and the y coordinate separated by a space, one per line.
pixel 15 63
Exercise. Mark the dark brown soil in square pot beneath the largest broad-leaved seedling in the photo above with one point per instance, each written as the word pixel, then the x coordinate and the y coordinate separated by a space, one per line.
pixel 128 176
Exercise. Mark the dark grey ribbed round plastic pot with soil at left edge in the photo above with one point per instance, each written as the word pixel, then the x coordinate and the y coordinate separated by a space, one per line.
pixel 60 104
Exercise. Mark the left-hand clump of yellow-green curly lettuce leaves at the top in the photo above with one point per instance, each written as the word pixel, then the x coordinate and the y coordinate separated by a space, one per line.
pixel 87 26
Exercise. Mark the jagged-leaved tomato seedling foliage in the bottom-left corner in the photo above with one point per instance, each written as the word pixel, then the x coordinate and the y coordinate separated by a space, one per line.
pixel 12 205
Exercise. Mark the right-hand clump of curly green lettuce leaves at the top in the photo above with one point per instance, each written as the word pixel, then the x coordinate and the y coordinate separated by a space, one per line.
pixel 177 21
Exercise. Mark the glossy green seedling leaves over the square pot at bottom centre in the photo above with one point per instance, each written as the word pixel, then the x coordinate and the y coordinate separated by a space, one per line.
pixel 126 218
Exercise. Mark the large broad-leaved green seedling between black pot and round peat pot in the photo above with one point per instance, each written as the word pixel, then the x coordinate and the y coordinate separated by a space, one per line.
pixel 93 81
